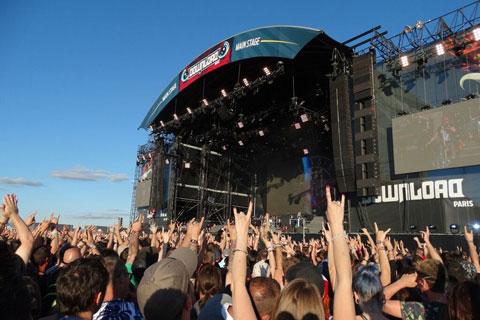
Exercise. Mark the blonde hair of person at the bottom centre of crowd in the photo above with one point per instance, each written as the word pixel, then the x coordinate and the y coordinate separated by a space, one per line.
pixel 299 299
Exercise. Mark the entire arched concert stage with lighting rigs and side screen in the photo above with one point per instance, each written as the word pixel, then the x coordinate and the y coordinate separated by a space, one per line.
pixel 275 114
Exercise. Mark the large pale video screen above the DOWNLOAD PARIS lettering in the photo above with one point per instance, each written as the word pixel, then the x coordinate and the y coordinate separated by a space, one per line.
pixel 445 137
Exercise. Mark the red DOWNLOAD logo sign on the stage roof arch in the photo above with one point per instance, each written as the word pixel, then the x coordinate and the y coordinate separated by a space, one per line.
pixel 214 58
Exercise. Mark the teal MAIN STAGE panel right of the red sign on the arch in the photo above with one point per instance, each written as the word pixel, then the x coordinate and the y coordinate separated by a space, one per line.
pixel 281 42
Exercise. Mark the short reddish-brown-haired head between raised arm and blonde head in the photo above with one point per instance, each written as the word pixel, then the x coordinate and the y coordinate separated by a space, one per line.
pixel 265 293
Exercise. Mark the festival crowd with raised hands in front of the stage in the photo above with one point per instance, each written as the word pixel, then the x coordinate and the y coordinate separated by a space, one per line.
pixel 238 272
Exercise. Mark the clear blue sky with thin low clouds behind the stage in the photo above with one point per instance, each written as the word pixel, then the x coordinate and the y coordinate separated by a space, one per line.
pixel 78 77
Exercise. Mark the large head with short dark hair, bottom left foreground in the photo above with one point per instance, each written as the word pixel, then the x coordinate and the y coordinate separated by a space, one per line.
pixel 81 287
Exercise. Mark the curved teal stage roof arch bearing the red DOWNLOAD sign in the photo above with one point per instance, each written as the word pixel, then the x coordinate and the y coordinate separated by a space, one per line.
pixel 279 42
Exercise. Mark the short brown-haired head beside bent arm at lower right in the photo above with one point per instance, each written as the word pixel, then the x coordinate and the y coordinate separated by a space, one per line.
pixel 432 276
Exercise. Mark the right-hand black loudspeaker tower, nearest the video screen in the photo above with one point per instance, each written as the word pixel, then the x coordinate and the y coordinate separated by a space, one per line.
pixel 365 127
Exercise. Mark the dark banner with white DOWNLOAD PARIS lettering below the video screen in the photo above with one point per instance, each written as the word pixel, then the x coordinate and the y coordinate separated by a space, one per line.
pixel 439 200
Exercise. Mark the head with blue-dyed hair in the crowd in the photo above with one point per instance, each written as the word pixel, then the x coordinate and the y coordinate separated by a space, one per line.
pixel 368 290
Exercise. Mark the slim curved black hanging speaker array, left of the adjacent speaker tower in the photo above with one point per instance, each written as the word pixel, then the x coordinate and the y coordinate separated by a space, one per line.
pixel 341 121
